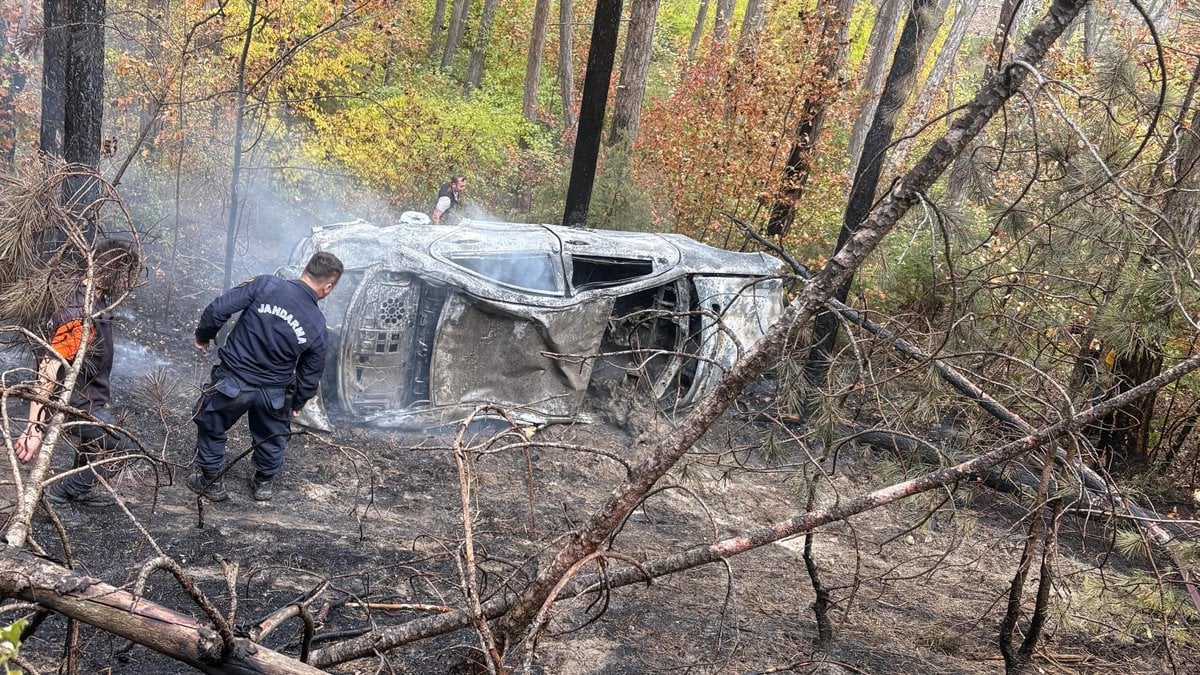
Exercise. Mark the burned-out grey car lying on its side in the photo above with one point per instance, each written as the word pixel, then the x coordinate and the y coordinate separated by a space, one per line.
pixel 434 324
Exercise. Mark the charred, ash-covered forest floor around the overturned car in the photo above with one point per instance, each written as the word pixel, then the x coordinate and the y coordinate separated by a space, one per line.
pixel 377 515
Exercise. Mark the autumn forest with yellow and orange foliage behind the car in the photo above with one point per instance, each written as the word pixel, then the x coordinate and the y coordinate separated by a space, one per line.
pixel 1053 264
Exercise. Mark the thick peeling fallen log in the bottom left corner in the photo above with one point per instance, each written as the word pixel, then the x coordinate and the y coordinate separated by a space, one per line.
pixel 35 580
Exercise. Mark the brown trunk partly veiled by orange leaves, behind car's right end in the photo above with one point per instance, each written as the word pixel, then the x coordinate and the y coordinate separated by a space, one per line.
pixel 835 32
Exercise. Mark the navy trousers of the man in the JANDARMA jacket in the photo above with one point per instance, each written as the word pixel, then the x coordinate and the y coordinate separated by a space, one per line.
pixel 223 403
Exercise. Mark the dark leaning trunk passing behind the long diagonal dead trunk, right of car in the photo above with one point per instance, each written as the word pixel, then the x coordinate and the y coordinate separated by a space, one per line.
pixel 915 40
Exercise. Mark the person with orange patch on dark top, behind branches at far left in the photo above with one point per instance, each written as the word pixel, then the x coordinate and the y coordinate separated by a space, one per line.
pixel 116 268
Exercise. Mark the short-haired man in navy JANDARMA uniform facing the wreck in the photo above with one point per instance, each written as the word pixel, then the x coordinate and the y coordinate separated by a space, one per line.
pixel 271 367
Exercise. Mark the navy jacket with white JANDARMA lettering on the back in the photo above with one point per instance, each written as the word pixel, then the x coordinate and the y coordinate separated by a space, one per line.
pixel 280 338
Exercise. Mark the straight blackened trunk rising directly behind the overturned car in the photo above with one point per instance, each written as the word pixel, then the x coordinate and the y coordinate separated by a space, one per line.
pixel 602 55
